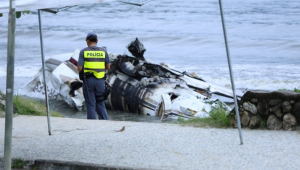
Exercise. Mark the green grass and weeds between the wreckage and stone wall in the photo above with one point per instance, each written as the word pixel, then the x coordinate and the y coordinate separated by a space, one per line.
pixel 219 118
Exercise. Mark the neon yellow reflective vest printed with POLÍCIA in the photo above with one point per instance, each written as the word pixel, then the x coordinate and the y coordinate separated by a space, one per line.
pixel 94 62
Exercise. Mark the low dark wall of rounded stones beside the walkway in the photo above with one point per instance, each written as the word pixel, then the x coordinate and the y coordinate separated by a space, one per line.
pixel 272 109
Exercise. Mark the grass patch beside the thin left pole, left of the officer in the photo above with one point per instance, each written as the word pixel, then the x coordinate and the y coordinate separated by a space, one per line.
pixel 30 107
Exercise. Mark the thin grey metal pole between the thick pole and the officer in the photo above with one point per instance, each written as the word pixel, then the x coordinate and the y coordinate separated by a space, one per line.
pixel 44 70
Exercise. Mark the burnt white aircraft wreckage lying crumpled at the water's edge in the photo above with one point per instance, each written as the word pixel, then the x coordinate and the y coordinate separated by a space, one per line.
pixel 137 86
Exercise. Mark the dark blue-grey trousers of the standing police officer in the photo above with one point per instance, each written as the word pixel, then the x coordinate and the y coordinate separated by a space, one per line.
pixel 96 89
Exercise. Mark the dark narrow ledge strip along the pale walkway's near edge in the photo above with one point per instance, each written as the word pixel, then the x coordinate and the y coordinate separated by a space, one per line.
pixel 40 164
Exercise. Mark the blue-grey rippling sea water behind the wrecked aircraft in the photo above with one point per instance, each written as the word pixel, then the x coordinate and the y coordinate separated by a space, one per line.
pixel 187 35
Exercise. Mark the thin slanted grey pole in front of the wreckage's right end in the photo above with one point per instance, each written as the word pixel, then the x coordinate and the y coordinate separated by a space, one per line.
pixel 231 75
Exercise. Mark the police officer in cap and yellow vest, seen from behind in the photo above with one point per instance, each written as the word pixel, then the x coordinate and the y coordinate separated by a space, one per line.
pixel 94 61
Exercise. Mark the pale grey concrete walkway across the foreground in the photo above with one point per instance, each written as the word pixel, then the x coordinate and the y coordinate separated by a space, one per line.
pixel 94 143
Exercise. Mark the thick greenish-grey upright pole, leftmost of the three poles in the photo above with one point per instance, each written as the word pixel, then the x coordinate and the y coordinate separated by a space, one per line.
pixel 9 84
